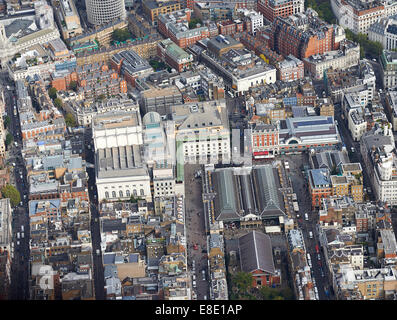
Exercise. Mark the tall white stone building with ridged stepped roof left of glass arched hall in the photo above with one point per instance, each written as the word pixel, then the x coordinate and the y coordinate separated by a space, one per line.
pixel 120 171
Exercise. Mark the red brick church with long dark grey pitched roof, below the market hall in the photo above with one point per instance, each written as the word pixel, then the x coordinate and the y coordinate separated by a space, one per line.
pixel 256 258
